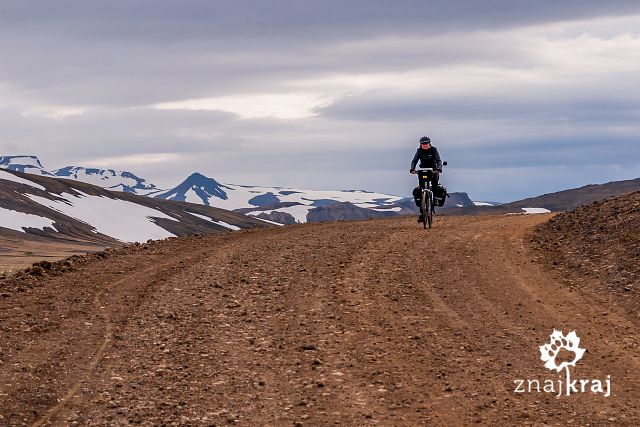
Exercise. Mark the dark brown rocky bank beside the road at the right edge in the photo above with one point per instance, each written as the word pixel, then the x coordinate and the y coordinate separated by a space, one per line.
pixel 597 245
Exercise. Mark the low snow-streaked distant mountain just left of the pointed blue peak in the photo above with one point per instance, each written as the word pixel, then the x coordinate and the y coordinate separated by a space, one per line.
pixel 108 178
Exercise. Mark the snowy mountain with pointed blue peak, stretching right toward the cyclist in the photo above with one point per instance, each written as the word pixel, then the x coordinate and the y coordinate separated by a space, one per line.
pixel 276 203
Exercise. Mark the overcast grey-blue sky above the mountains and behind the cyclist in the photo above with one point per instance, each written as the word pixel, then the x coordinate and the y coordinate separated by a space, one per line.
pixel 520 97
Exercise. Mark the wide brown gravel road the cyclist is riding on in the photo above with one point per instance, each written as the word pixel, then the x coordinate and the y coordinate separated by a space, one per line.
pixel 364 323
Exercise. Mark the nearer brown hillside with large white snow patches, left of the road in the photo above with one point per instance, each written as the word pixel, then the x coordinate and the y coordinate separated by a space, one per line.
pixel 57 209
